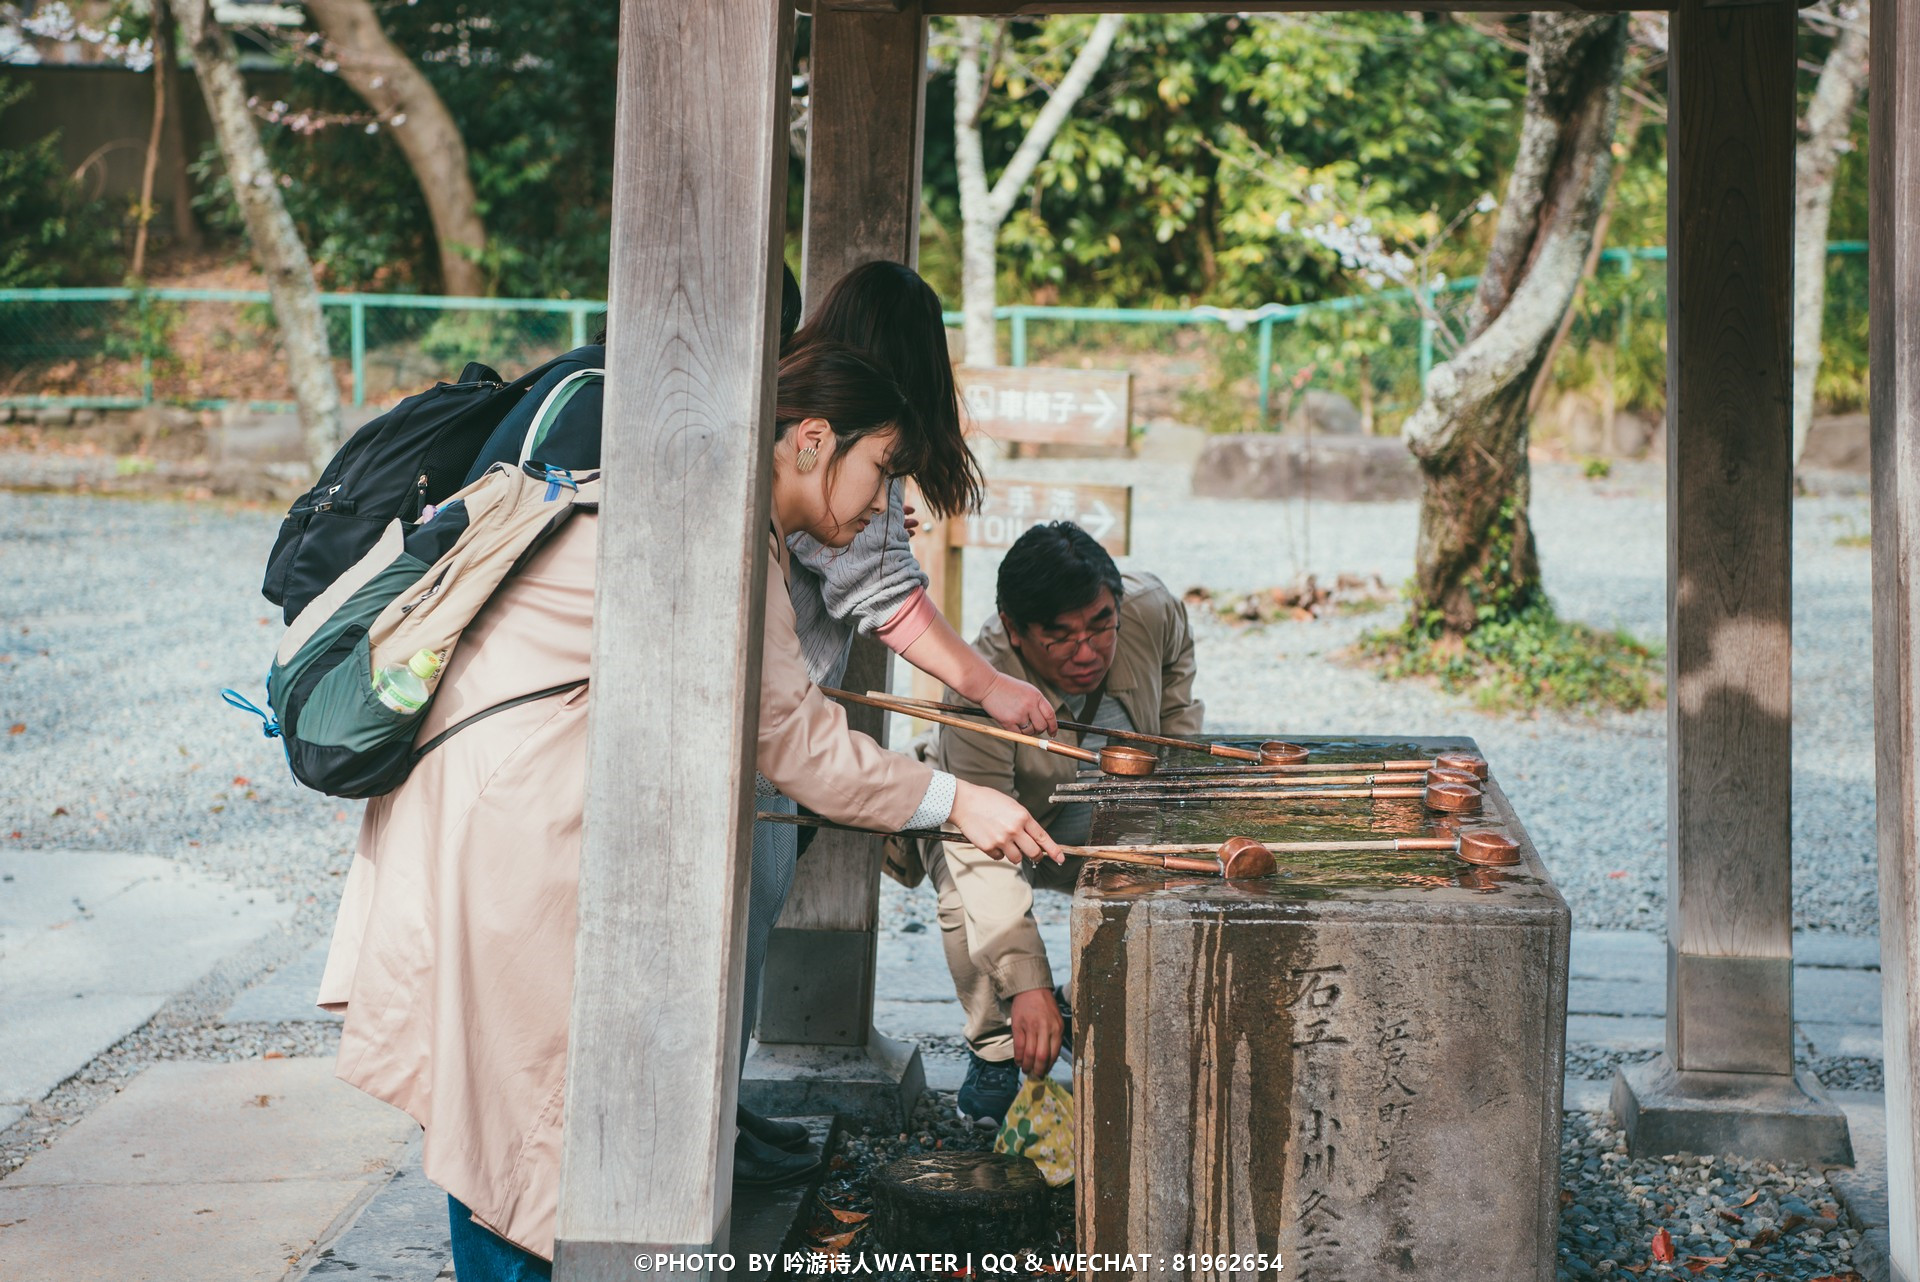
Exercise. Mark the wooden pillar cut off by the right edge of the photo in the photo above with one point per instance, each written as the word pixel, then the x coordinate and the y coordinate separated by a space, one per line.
pixel 1894 289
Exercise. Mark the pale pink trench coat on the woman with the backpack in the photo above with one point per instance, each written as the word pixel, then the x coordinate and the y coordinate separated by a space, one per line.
pixel 454 953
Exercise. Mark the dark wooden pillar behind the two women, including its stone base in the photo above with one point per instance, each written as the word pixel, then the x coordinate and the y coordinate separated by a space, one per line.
pixel 819 1049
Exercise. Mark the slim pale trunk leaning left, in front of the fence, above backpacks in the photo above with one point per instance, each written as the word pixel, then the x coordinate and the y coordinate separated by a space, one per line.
pixel 277 249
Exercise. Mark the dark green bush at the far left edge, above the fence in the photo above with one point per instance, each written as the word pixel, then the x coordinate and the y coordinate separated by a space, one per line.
pixel 49 233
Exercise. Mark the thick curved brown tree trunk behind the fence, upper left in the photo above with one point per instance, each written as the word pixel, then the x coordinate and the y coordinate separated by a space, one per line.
pixel 423 128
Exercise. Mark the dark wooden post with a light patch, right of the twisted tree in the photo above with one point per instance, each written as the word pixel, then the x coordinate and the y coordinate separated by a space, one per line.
pixel 1729 554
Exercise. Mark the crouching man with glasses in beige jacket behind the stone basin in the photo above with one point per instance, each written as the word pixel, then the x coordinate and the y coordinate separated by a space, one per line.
pixel 1109 650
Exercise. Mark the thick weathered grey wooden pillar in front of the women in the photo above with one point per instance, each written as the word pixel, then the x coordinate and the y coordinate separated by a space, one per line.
pixel 700 197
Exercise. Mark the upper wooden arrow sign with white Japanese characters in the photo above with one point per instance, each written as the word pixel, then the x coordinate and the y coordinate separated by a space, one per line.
pixel 1047 406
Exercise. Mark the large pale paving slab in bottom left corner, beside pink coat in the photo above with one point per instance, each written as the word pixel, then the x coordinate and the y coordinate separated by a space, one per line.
pixel 226 1172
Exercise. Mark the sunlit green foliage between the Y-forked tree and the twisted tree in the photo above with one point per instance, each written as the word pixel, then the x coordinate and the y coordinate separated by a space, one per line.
pixel 1209 143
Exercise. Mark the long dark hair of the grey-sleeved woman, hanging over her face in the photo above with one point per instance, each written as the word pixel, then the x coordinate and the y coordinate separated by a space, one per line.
pixel 890 314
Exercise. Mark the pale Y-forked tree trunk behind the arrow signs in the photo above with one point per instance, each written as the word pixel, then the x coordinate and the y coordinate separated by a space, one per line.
pixel 982 208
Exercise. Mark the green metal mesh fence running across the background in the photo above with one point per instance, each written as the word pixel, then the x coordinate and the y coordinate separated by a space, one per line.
pixel 114 348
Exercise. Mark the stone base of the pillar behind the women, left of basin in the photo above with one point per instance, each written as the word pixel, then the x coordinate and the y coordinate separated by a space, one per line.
pixel 876 1085
